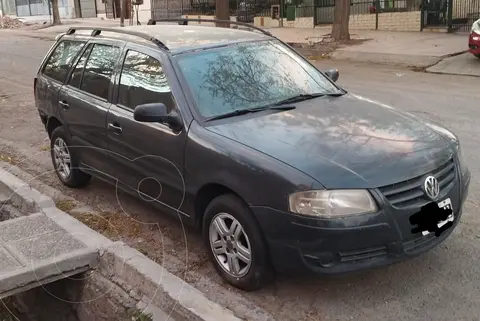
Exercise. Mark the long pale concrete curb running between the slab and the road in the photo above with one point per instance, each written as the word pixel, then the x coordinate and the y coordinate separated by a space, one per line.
pixel 171 293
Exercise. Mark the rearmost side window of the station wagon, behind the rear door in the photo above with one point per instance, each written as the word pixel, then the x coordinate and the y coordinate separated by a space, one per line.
pixel 59 63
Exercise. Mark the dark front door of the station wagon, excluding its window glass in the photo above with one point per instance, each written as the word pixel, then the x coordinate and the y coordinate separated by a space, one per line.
pixel 148 158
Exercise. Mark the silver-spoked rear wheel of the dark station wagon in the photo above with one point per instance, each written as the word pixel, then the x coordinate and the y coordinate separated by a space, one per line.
pixel 74 178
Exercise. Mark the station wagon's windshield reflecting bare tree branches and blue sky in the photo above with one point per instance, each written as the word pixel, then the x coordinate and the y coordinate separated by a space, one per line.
pixel 248 76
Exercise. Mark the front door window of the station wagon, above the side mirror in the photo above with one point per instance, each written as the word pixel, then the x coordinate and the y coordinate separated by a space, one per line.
pixel 143 81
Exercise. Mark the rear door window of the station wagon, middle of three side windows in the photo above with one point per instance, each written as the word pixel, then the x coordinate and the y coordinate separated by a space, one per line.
pixel 99 69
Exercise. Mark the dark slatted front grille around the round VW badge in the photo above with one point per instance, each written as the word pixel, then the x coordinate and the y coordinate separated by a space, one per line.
pixel 410 193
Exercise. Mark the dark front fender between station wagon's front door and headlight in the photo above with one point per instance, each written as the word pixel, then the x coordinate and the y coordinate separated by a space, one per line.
pixel 213 159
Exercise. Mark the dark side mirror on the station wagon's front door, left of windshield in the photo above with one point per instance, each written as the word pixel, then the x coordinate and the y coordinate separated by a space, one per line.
pixel 156 113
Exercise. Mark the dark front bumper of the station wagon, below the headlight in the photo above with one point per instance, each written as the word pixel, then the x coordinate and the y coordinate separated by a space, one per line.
pixel 340 246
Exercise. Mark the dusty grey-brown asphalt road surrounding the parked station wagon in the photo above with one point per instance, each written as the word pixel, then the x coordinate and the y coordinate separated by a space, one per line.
pixel 443 284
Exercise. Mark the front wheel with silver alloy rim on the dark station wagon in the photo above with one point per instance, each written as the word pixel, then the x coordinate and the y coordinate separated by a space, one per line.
pixel 230 208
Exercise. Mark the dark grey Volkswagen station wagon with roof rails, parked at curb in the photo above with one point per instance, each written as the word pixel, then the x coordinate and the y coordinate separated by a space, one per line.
pixel 239 135
